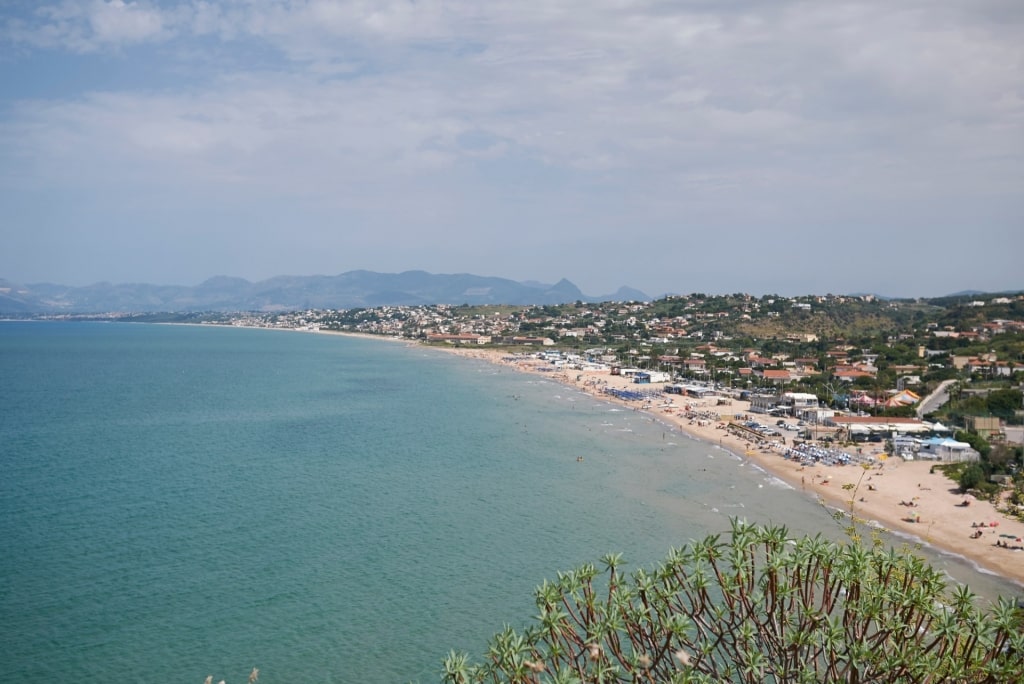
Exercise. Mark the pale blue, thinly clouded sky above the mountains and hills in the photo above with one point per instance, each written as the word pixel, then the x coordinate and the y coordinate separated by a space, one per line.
pixel 670 146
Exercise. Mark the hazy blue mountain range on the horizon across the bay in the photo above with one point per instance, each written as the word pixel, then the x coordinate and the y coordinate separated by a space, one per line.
pixel 288 293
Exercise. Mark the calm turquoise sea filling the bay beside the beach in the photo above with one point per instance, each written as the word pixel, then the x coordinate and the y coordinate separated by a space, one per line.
pixel 185 501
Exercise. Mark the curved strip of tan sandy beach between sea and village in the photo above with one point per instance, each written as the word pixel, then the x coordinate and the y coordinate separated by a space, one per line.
pixel 898 495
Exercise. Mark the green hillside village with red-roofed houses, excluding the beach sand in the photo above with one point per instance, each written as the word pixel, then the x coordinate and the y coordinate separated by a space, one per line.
pixel 862 367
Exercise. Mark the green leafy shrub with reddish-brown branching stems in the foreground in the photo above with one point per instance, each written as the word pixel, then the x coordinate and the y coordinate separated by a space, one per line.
pixel 757 607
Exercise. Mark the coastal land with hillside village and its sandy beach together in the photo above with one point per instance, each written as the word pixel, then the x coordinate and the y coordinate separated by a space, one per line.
pixel 906 414
